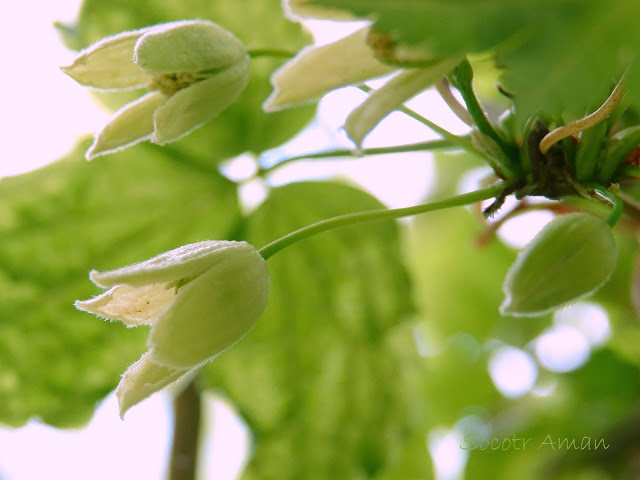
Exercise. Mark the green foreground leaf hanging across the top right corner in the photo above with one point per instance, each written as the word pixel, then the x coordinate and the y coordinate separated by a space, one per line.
pixel 556 54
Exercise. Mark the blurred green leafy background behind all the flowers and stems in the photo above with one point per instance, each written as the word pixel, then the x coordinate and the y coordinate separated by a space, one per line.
pixel 376 336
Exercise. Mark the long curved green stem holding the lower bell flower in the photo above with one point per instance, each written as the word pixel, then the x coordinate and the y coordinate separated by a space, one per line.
pixel 357 217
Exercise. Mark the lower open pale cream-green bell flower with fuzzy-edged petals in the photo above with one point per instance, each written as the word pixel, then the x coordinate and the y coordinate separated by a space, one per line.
pixel 199 300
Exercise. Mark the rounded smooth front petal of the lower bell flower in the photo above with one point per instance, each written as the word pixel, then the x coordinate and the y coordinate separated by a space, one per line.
pixel 213 311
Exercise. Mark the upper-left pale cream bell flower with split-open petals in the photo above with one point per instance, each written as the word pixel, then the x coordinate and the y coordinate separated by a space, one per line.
pixel 195 69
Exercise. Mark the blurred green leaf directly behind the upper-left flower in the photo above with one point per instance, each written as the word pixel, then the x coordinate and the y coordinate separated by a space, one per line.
pixel 258 23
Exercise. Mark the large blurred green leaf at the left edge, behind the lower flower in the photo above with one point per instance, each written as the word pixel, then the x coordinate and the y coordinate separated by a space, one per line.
pixel 58 223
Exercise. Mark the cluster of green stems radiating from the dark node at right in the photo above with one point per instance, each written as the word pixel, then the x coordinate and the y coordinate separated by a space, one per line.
pixel 534 164
